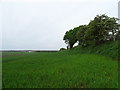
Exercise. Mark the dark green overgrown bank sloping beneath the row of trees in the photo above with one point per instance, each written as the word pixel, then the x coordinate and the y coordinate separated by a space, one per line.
pixel 109 49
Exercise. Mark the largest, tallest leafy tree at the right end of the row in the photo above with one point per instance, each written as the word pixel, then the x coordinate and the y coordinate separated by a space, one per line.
pixel 100 27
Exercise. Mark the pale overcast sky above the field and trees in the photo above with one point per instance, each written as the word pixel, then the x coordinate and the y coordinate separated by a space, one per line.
pixel 42 25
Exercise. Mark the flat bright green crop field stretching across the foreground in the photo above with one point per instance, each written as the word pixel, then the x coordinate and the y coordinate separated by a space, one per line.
pixel 58 70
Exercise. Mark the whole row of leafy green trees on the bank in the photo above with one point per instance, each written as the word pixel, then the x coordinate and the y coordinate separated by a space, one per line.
pixel 99 30
